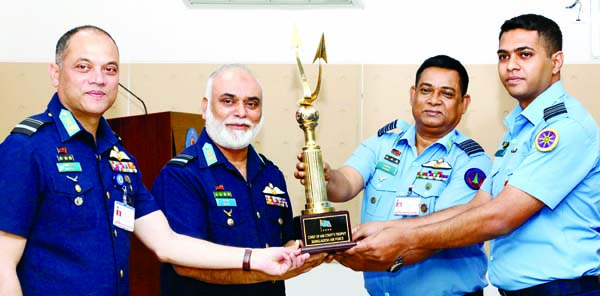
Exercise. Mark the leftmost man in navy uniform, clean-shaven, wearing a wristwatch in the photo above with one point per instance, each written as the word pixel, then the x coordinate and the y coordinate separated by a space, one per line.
pixel 72 195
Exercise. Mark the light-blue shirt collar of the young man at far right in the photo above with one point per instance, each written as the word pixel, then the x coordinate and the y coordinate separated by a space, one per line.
pixel 534 113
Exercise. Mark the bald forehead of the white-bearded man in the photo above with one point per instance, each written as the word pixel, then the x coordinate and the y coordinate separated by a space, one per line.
pixel 237 82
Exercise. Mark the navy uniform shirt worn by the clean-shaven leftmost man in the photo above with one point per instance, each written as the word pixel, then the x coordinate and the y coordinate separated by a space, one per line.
pixel 58 190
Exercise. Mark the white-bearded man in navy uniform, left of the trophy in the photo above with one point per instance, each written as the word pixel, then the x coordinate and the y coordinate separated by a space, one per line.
pixel 222 190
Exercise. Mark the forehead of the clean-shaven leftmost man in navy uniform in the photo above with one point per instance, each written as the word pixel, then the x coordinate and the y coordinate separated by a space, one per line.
pixel 91 45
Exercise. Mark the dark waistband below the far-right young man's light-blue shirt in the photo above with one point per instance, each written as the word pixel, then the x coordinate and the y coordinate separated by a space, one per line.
pixel 556 288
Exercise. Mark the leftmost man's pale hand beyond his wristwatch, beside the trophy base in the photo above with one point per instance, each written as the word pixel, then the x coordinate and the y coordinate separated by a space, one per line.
pixel 277 261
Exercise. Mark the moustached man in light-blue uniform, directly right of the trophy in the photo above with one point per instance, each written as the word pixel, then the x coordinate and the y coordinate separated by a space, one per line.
pixel 421 169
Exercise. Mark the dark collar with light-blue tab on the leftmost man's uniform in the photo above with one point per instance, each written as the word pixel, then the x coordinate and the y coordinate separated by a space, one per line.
pixel 68 126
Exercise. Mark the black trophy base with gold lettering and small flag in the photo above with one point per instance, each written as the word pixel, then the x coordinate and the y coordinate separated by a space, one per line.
pixel 325 232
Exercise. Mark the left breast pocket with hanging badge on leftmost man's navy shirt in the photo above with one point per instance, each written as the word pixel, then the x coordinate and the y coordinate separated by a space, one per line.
pixel 75 202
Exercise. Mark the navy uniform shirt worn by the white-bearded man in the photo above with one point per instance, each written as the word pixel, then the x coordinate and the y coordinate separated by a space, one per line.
pixel 203 195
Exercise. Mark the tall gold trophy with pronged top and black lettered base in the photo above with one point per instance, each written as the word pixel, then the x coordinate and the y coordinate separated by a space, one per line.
pixel 321 227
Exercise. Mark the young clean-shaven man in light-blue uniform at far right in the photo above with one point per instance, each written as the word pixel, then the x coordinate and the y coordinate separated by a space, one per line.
pixel 542 204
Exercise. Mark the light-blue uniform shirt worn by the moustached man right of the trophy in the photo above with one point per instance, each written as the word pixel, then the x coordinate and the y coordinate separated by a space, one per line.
pixel 452 271
